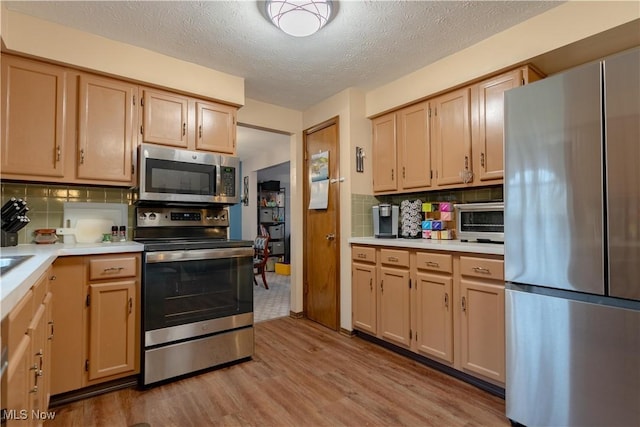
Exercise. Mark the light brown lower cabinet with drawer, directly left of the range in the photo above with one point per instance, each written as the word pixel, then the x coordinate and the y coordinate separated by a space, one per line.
pixel 97 324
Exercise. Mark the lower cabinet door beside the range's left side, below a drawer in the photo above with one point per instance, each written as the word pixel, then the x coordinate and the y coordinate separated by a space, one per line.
pixel 111 328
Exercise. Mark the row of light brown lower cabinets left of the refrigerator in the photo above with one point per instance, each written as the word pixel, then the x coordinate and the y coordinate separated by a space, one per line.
pixel 447 306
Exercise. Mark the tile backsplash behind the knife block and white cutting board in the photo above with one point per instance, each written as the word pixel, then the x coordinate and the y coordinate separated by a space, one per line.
pixel 46 202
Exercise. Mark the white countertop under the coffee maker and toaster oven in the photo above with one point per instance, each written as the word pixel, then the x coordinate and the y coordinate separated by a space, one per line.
pixel 434 245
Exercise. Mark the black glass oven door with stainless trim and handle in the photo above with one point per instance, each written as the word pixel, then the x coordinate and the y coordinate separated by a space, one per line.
pixel 196 292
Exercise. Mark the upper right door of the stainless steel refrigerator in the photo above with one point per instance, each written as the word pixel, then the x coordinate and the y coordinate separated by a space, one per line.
pixel 622 136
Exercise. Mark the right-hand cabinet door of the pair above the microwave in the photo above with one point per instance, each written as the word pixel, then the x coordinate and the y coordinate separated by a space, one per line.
pixel 216 127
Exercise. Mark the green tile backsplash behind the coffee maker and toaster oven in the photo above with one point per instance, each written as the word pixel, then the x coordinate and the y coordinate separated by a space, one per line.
pixel 361 204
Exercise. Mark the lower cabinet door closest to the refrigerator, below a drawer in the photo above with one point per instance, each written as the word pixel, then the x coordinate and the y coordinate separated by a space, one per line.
pixel 482 328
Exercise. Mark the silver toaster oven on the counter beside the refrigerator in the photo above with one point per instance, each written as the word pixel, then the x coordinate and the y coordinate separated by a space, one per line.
pixel 481 222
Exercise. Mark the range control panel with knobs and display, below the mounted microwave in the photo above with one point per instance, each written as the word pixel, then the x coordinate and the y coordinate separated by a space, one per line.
pixel 179 217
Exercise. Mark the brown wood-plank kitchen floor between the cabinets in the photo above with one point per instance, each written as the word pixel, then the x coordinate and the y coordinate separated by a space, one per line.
pixel 302 374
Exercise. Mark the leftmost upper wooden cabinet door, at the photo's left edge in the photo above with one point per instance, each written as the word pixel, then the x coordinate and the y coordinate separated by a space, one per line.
pixel 33 109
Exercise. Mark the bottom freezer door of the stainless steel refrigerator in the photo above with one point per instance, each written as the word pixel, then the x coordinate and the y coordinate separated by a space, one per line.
pixel 571 363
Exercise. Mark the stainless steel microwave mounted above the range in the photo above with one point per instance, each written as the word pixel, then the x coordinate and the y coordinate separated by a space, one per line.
pixel 183 176
